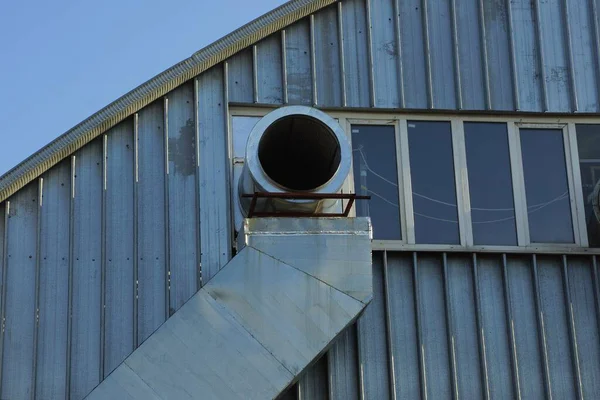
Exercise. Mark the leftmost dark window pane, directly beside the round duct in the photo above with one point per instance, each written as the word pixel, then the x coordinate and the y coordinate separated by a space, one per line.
pixel 376 174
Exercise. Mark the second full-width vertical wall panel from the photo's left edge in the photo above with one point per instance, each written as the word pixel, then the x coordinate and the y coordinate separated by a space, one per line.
pixel 54 271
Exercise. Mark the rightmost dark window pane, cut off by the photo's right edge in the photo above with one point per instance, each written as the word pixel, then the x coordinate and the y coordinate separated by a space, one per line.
pixel 588 142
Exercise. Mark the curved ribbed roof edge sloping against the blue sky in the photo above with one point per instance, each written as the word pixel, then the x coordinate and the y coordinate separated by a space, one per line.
pixel 78 136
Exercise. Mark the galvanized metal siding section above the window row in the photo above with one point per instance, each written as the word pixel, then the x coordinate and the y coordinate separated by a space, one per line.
pixel 516 55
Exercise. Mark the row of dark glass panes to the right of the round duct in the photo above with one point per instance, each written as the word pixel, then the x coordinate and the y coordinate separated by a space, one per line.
pixel 490 202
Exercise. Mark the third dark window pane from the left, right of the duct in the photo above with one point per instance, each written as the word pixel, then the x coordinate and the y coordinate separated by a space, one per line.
pixel 490 184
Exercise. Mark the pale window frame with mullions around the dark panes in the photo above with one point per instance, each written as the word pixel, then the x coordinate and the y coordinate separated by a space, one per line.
pixel 514 124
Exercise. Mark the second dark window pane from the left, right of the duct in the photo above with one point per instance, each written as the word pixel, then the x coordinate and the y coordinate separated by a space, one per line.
pixel 432 173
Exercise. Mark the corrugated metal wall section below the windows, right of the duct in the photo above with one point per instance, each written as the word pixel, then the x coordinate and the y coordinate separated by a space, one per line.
pixel 471 326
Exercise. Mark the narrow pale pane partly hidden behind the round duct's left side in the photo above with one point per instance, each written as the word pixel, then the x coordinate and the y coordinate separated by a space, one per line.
pixel 240 130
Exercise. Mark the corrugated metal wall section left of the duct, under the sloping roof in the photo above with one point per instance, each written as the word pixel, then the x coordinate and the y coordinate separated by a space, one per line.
pixel 99 251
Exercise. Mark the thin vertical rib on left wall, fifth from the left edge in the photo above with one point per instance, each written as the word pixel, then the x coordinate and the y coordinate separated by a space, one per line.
pixel 136 264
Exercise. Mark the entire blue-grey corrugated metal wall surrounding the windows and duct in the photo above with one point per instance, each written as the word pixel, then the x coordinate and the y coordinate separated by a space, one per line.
pixel 97 253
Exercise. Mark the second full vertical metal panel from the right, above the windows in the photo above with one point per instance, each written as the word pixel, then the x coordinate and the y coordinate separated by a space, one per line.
pixel 556 66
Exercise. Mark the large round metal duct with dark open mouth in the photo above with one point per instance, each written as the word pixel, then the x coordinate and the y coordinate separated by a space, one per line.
pixel 295 149
